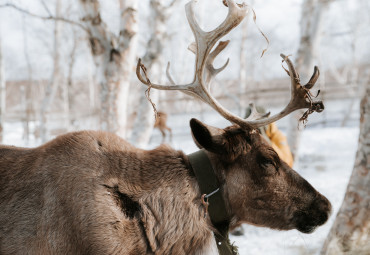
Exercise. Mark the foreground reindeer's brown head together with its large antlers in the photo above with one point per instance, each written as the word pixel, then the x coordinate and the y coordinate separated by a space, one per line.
pixel 259 188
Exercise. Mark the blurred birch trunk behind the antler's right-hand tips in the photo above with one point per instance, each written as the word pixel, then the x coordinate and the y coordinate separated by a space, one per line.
pixel 311 24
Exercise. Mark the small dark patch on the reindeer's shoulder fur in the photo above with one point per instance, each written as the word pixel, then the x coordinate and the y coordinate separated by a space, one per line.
pixel 128 206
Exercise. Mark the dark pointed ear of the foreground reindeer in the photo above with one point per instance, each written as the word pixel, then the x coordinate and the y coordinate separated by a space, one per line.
pixel 207 137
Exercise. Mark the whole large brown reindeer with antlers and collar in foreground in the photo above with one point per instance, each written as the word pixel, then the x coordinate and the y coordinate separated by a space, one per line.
pixel 91 192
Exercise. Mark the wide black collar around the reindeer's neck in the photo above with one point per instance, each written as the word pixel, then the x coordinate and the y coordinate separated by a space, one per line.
pixel 208 184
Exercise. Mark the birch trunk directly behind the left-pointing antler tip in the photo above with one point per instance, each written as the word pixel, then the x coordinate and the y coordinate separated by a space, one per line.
pixel 144 121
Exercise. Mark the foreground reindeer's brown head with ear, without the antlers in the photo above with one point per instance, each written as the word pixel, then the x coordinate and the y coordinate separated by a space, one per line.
pixel 259 188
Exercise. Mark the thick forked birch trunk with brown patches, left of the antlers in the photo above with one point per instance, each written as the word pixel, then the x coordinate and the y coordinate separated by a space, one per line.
pixel 114 60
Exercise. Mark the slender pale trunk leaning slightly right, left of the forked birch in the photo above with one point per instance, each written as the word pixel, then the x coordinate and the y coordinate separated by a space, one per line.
pixel 55 78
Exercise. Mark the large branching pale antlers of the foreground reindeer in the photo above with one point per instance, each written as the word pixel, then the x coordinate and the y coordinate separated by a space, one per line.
pixel 205 71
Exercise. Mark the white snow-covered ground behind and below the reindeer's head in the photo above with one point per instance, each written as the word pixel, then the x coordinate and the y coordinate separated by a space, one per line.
pixel 326 160
